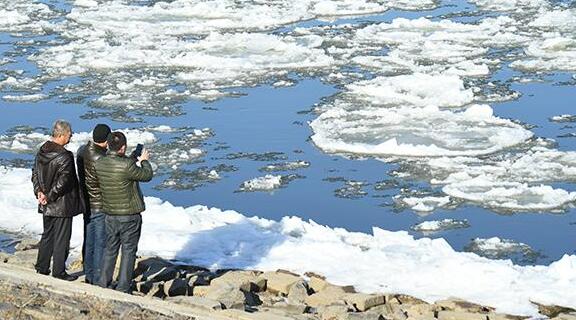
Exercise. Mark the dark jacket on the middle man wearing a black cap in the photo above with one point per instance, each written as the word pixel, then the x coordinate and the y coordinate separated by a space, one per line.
pixel 89 186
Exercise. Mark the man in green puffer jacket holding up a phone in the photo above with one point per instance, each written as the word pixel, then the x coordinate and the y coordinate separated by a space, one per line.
pixel 123 202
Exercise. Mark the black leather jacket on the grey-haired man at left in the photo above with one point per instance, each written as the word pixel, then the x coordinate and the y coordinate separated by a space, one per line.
pixel 54 174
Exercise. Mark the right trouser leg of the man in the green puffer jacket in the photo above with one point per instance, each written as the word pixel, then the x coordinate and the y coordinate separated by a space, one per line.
pixel 130 235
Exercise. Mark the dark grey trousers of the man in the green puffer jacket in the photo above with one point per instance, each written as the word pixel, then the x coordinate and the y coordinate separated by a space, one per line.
pixel 121 231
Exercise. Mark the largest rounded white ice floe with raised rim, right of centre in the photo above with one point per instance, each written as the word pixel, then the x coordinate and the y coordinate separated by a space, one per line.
pixel 414 131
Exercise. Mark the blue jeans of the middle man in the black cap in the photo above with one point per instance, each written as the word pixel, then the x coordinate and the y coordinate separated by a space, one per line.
pixel 95 243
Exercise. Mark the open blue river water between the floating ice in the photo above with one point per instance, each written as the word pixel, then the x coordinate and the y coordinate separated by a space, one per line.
pixel 268 119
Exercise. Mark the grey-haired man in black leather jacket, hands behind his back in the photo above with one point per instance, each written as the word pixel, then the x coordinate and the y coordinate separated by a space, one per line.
pixel 56 188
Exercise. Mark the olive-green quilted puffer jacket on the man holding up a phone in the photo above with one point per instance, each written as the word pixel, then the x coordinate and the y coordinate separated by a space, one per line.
pixel 118 176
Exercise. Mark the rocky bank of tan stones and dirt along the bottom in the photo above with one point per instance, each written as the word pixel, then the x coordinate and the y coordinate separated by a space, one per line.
pixel 226 294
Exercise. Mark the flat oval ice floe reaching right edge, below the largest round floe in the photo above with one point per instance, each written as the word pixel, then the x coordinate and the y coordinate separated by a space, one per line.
pixel 509 195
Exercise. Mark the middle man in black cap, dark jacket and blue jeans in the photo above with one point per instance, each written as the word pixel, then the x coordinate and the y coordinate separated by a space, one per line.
pixel 94 228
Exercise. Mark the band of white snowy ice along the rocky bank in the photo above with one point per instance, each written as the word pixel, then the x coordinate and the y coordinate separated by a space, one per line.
pixel 426 268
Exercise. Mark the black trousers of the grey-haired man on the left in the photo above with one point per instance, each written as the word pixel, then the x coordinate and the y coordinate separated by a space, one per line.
pixel 54 245
